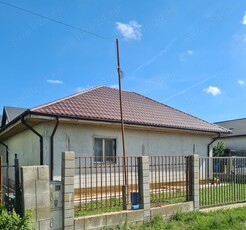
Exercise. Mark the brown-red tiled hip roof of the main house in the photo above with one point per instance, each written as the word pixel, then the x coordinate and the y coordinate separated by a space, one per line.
pixel 102 104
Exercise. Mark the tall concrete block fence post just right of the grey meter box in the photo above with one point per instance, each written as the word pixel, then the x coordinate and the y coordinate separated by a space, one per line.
pixel 68 166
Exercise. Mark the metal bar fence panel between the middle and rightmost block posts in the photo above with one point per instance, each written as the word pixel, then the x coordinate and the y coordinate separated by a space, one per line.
pixel 170 178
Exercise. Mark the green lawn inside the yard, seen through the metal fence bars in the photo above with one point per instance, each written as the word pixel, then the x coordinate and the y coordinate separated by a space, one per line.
pixel 209 196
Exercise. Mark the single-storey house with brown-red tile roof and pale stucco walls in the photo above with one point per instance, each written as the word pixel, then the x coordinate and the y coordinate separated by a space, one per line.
pixel 89 123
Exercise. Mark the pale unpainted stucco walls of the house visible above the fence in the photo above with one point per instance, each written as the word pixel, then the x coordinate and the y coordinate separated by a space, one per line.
pixel 80 140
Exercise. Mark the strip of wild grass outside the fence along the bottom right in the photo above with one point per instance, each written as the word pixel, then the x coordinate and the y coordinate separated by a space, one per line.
pixel 223 219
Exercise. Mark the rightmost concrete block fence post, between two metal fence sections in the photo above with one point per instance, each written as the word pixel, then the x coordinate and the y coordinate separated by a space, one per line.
pixel 195 181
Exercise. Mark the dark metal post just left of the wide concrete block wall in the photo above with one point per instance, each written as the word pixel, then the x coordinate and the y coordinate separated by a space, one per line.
pixel 18 208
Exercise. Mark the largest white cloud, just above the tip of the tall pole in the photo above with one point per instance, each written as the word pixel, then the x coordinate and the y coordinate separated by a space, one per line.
pixel 130 31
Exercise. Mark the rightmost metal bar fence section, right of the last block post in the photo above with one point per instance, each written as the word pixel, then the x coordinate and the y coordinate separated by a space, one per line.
pixel 222 181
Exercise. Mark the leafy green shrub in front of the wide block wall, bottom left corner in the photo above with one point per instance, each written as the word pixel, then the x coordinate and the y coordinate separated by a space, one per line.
pixel 11 220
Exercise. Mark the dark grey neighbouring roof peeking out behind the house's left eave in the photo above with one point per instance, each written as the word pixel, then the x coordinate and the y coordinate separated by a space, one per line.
pixel 10 113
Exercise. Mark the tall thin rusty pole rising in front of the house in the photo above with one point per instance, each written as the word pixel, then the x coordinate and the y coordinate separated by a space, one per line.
pixel 122 120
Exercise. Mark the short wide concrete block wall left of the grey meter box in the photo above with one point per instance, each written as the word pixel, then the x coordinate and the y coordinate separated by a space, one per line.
pixel 36 194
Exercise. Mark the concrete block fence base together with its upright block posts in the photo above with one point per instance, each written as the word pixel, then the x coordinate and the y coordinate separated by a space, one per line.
pixel 37 195
